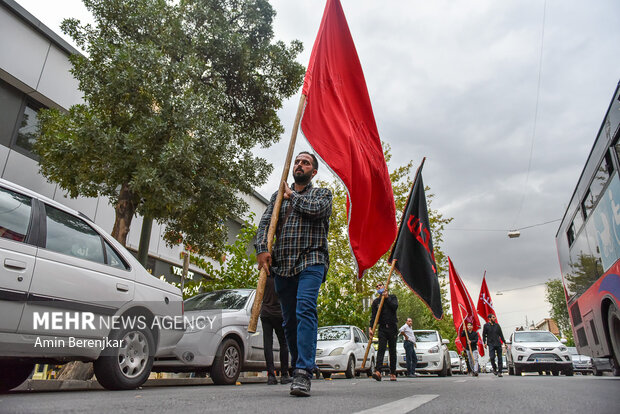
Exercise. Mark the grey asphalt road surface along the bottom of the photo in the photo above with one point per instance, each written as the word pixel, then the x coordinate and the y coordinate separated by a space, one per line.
pixel 457 394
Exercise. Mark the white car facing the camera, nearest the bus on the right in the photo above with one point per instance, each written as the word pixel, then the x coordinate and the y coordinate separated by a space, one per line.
pixel 537 351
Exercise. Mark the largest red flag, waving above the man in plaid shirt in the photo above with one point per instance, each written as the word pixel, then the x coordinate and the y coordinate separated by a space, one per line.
pixel 339 124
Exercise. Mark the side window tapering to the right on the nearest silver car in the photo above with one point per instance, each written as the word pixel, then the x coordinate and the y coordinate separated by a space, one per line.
pixel 72 236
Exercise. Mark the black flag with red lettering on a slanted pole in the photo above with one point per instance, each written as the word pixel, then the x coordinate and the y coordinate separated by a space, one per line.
pixel 413 251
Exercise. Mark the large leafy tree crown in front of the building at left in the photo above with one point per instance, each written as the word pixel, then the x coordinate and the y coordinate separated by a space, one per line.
pixel 177 94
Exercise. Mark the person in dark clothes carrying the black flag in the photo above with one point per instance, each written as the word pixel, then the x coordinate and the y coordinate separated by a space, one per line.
pixel 388 330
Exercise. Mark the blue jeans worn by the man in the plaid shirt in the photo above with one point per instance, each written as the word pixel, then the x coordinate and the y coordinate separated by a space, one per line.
pixel 298 296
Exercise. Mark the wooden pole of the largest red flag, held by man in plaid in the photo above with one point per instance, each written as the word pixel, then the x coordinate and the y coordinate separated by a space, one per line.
pixel 260 287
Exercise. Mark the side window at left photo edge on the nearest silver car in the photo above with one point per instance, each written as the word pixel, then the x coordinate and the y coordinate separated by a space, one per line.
pixel 14 215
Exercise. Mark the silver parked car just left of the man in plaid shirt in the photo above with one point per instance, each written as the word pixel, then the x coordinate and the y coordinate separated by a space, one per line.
pixel 217 340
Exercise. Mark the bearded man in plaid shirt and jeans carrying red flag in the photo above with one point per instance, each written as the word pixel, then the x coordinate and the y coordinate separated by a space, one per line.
pixel 299 262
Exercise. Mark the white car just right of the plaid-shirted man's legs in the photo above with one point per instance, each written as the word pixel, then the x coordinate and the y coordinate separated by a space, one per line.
pixel 341 348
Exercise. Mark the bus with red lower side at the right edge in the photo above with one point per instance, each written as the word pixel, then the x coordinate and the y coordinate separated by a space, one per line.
pixel 588 245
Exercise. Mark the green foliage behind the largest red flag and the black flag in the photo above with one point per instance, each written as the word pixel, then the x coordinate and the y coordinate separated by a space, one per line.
pixel 345 300
